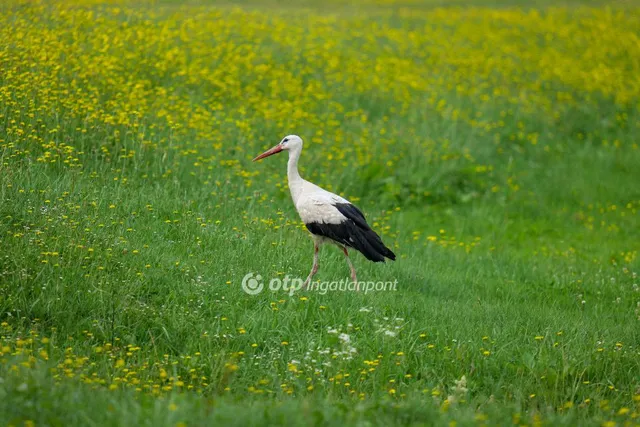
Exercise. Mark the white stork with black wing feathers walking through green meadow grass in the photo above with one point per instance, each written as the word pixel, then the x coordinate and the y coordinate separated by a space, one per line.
pixel 329 217
